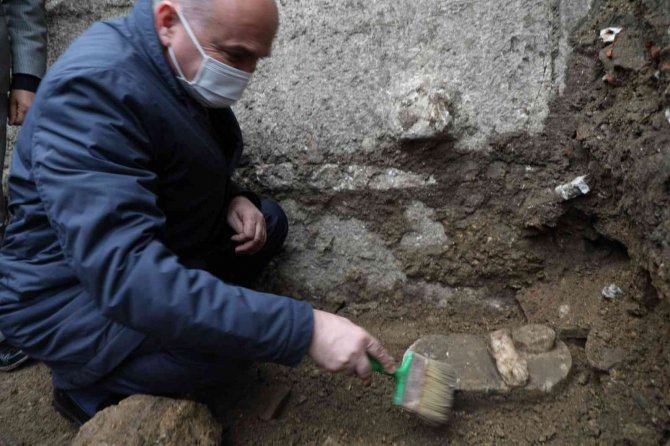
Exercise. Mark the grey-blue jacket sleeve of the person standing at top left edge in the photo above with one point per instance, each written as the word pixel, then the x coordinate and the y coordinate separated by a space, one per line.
pixel 28 33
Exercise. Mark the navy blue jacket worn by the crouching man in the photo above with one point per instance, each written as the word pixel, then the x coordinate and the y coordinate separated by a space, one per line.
pixel 118 178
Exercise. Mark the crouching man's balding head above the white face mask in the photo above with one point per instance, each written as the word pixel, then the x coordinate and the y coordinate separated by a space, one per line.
pixel 235 32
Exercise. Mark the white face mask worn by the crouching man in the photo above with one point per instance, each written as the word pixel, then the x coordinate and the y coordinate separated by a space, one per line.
pixel 215 85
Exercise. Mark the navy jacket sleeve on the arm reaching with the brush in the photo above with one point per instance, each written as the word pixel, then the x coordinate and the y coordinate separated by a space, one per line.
pixel 92 163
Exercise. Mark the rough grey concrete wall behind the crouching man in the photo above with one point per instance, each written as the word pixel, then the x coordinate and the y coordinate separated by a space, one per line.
pixel 350 84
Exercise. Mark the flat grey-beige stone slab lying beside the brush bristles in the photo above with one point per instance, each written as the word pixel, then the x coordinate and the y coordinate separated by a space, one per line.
pixel 476 370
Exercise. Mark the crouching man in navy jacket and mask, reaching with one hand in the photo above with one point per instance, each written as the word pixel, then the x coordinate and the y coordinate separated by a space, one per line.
pixel 121 265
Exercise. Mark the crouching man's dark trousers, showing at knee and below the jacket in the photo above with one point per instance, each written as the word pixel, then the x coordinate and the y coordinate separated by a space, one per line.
pixel 156 369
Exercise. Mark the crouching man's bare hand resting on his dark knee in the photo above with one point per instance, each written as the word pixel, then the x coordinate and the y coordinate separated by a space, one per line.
pixel 249 225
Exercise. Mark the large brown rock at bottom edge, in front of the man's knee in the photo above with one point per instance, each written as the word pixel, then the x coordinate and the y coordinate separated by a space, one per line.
pixel 143 420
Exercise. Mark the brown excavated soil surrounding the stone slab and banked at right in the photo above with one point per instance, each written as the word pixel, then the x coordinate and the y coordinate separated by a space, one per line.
pixel 546 260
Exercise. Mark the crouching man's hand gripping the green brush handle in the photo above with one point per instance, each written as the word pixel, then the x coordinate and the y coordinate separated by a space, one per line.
pixel 340 345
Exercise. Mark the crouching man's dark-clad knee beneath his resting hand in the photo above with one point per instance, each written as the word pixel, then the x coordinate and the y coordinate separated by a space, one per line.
pixel 244 269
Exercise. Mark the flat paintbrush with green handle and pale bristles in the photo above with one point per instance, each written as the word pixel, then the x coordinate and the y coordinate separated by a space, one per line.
pixel 423 386
